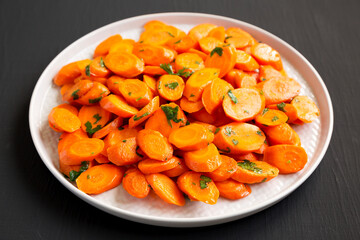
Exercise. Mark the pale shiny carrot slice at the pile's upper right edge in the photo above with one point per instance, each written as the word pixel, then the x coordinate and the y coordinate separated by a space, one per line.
pixel 266 55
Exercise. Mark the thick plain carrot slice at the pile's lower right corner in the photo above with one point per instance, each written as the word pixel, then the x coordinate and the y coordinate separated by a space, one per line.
pixel 287 158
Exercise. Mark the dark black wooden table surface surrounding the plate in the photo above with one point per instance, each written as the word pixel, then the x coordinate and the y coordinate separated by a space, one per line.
pixel 34 205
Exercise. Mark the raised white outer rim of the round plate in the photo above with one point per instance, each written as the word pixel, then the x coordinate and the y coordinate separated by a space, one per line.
pixel 187 221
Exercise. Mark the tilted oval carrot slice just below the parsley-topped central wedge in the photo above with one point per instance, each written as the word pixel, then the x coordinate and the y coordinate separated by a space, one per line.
pixel 154 145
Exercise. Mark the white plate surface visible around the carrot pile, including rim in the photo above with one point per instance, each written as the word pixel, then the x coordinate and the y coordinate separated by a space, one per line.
pixel 315 137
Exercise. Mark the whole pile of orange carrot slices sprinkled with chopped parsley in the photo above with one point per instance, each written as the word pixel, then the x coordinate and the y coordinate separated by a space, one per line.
pixel 202 114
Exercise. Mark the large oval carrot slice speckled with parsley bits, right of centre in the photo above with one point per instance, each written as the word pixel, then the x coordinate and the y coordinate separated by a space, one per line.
pixel 239 138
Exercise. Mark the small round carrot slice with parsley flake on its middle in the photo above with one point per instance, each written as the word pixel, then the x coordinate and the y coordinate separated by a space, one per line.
pixel 170 87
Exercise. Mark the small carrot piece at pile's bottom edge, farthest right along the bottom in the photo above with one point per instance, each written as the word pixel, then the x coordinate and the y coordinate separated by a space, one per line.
pixel 232 189
